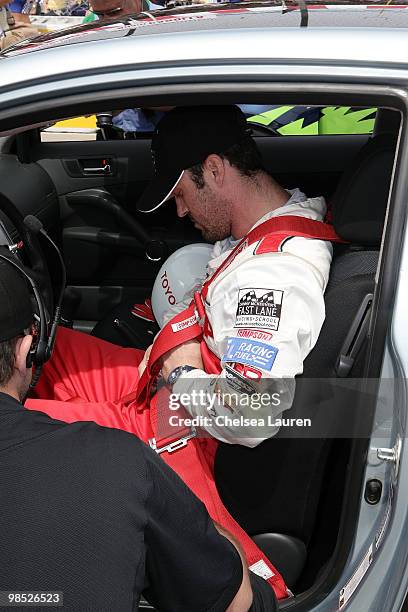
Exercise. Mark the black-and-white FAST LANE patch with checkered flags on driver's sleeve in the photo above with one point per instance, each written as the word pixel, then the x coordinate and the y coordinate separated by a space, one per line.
pixel 259 308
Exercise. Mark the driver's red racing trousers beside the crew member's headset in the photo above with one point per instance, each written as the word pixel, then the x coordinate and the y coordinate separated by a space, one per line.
pixel 86 380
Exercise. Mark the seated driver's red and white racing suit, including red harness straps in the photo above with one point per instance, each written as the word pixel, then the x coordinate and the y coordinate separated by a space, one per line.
pixel 268 292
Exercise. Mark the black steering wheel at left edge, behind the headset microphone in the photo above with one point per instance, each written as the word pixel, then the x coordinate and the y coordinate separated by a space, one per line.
pixel 34 262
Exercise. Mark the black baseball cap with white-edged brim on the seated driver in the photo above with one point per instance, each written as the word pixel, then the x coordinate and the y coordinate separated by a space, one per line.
pixel 185 137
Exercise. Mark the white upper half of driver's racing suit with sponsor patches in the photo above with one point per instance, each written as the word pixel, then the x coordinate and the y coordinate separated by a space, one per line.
pixel 265 313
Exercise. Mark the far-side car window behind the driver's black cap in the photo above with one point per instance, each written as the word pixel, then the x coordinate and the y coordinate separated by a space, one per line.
pixel 266 120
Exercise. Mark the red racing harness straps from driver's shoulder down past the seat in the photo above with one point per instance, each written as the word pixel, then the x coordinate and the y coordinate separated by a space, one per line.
pixel 190 456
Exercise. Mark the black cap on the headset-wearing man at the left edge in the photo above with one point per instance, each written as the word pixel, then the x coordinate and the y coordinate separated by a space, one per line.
pixel 16 311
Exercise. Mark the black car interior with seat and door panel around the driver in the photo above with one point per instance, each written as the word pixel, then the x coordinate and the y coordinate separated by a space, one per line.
pixel 291 493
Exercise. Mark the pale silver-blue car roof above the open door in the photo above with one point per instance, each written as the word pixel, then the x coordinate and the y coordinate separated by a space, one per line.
pixel 247 32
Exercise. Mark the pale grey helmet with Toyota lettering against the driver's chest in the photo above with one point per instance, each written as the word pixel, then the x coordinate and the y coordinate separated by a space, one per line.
pixel 184 269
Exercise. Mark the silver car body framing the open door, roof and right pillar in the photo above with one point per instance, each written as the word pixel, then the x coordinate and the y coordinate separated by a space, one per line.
pixel 204 54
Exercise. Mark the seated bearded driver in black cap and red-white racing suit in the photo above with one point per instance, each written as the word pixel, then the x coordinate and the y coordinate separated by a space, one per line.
pixel 250 327
